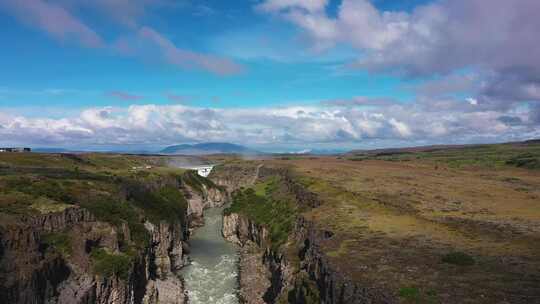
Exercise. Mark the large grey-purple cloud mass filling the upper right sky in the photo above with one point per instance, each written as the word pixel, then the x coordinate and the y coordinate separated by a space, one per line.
pixel 497 40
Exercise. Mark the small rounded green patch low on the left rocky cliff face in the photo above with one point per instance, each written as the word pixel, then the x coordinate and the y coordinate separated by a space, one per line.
pixel 109 264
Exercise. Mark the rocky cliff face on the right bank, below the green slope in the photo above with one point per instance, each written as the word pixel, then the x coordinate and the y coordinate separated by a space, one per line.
pixel 299 271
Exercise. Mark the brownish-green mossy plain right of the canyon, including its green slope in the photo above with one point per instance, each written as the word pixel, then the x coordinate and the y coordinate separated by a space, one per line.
pixel 441 225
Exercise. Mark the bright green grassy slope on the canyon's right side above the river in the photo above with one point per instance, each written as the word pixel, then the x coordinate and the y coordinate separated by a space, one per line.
pixel 277 215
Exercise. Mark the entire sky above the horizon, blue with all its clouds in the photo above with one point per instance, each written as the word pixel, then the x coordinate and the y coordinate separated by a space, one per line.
pixel 276 75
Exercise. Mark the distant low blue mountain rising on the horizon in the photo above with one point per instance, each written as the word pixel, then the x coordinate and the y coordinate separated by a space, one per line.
pixel 208 148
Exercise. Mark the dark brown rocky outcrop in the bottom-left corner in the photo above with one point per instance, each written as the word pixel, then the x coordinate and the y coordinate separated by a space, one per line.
pixel 28 273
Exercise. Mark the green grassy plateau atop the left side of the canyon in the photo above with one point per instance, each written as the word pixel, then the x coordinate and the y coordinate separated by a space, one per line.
pixel 105 184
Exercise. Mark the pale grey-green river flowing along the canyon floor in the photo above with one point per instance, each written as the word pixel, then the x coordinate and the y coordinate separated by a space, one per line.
pixel 211 278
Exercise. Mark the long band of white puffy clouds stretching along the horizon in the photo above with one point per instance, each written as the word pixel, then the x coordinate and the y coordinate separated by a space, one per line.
pixel 301 125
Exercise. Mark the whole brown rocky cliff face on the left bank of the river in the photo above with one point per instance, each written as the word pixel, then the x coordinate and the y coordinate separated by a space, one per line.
pixel 33 272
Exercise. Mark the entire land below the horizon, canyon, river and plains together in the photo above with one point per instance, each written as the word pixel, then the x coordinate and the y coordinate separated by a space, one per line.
pixel 84 229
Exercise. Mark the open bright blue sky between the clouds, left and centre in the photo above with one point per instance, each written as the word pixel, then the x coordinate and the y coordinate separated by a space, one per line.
pixel 277 70
